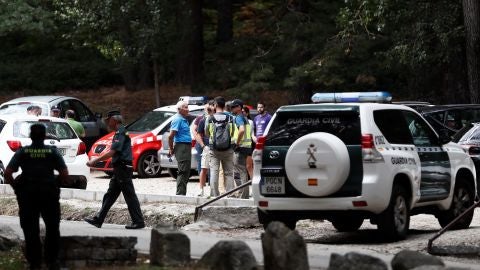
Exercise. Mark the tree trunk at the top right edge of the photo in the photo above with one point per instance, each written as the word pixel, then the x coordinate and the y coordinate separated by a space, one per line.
pixel 471 16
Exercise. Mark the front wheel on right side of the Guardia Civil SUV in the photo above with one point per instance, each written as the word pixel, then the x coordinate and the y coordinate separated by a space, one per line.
pixel 463 198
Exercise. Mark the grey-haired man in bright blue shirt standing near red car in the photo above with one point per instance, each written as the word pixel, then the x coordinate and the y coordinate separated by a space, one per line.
pixel 180 135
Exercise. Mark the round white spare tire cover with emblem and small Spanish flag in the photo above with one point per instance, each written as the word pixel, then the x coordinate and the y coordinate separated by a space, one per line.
pixel 317 164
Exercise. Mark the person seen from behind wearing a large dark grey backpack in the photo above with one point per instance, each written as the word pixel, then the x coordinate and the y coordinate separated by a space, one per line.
pixel 219 128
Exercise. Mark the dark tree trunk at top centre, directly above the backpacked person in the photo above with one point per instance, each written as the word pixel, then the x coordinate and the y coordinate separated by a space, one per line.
pixel 225 21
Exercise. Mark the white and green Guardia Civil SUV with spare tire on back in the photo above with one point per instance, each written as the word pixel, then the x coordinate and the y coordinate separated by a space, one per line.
pixel 346 162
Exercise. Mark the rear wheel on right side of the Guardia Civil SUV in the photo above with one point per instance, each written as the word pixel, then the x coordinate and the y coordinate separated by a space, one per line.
pixel 394 222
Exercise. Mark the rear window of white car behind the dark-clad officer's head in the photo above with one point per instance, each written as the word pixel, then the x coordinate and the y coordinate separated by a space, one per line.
pixel 55 130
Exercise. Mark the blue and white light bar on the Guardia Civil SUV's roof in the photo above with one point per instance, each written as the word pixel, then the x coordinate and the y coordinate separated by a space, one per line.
pixel 345 97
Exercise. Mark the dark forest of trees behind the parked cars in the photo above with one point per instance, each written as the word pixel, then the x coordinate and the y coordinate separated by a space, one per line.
pixel 281 51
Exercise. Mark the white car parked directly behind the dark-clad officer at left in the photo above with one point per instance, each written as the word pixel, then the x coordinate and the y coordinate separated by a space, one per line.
pixel 15 133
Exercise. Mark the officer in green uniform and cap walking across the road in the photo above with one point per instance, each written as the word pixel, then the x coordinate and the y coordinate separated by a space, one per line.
pixel 121 154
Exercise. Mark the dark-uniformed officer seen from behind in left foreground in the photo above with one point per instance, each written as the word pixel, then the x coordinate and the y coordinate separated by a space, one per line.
pixel 38 193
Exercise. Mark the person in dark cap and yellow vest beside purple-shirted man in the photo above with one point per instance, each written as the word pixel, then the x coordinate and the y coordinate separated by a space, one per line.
pixel 242 147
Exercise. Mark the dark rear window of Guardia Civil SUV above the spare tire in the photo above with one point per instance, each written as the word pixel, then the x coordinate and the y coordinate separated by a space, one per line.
pixel 287 127
